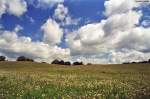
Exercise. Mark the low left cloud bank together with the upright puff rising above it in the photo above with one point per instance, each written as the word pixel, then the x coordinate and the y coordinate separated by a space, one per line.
pixel 12 46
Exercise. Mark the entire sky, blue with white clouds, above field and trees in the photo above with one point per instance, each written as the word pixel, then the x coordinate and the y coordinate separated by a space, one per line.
pixel 92 31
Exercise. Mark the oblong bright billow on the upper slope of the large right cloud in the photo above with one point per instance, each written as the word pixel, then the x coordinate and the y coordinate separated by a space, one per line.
pixel 122 22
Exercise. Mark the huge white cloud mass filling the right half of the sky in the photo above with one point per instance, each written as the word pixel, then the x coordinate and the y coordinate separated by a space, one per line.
pixel 116 39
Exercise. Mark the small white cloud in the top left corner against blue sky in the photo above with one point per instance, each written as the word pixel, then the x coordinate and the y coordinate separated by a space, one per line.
pixel 15 7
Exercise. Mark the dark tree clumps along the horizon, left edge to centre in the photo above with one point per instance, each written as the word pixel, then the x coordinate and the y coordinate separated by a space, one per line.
pixel 58 62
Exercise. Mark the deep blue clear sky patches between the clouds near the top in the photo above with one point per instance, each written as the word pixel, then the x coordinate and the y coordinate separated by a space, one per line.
pixel 87 10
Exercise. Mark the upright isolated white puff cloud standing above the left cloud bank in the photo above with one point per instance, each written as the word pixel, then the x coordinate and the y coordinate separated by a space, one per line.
pixel 52 32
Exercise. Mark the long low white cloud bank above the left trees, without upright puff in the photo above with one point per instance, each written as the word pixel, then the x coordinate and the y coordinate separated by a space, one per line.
pixel 13 46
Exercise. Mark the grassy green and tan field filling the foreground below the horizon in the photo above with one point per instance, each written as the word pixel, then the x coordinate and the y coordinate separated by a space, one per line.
pixel 29 80
